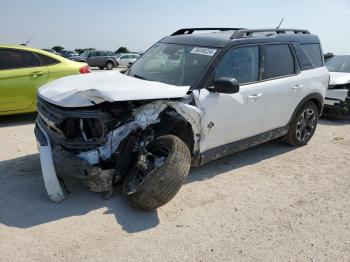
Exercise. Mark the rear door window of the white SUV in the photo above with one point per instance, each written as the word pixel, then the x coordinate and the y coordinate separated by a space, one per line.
pixel 279 61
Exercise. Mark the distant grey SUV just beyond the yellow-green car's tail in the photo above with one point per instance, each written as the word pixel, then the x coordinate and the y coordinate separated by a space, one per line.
pixel 100 59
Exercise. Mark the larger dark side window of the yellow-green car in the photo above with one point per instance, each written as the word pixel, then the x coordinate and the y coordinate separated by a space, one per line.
pixel 10 58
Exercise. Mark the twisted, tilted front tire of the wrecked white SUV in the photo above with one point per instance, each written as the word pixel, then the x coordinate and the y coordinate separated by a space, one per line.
pixel 160 185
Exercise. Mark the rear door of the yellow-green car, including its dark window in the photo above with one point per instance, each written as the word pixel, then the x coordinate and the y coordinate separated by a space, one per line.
pixel 20 76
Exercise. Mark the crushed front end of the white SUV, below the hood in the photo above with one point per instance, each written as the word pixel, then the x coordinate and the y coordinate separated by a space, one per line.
pixel 99 144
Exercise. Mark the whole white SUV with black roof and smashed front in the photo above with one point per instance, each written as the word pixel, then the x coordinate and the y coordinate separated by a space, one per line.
pixel 189 99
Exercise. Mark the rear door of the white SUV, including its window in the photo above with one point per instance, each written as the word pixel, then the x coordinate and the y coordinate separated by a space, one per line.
pixel 282 75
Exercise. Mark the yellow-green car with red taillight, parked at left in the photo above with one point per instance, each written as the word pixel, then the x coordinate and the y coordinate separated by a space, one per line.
pixel 23 70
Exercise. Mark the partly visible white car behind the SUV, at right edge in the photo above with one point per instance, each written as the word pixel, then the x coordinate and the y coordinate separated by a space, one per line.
pixel 337 101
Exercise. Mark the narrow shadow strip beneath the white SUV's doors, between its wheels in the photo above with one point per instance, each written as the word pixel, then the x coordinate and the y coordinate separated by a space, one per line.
pixel 240 159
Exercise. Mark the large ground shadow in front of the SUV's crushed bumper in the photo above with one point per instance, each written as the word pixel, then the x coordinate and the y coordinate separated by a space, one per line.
pixel 24 202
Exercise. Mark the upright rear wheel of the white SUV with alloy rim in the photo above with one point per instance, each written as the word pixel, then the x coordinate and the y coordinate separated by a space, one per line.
pixel 303 125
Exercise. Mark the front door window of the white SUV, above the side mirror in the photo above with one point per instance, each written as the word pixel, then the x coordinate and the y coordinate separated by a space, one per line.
pixel 241 63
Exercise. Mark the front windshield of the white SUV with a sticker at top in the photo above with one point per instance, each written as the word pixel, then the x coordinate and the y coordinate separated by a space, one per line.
pixel 172 64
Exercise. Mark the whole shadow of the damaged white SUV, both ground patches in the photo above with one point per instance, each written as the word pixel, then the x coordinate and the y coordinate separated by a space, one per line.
pixel 24 202
